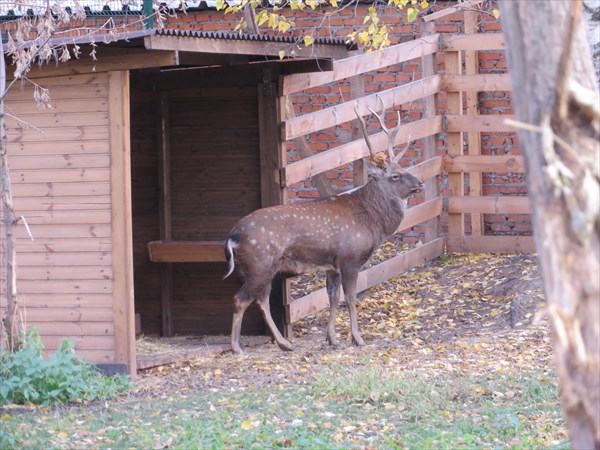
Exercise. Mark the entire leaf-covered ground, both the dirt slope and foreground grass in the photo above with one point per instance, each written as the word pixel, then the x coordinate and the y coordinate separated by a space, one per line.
pixel 458 356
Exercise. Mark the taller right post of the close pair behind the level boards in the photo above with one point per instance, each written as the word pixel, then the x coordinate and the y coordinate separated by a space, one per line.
pixel 473 137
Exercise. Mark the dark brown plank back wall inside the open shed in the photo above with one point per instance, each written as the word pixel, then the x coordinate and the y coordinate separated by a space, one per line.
pixel 215 180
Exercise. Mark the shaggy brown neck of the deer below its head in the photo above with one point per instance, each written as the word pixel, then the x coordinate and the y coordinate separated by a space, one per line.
pixel 382 211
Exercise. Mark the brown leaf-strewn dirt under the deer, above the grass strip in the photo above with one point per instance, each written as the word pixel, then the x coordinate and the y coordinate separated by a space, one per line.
pixel 465 314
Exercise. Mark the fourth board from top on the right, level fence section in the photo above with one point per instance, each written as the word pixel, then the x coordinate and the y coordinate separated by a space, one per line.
pixel 484 163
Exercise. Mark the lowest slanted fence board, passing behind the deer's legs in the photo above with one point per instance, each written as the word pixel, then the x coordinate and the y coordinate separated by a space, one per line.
pixel 315 301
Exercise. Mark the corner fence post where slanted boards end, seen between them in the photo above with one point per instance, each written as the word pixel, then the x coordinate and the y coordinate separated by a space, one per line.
pixel 432 188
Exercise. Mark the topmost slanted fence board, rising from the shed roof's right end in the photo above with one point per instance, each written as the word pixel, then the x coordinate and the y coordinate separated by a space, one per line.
pixel 362 63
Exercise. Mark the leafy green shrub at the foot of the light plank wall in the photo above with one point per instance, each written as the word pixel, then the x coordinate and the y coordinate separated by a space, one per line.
pixel 27 378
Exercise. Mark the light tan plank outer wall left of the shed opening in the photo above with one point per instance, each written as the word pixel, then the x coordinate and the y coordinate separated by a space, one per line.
pixel 60 170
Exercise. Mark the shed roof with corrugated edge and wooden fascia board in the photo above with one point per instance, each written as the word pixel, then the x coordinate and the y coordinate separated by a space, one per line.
pixel 155 48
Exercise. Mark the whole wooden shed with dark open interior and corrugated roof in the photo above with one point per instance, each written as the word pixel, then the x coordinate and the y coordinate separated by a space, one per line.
pixel 168 136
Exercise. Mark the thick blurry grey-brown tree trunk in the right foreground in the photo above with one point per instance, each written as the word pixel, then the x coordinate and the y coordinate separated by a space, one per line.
pixel 563 183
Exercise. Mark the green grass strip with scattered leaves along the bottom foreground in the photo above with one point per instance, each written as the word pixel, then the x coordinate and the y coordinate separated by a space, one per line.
pixel 361 407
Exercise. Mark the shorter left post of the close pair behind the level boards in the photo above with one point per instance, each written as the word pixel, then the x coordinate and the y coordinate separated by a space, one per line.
pixel 456 184
